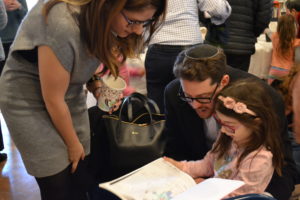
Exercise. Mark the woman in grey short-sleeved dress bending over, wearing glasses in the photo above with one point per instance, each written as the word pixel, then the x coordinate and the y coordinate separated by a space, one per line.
pixel 57 49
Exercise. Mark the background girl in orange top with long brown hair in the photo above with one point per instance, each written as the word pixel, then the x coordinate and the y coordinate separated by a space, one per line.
pixel 284 42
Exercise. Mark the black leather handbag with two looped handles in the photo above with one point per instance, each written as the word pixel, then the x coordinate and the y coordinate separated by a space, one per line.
pixel 135 138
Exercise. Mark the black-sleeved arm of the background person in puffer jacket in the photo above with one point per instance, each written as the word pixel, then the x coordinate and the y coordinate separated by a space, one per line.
pixel 262 15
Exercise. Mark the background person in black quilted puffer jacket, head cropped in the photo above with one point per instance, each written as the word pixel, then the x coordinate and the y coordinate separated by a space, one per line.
pixel 247 21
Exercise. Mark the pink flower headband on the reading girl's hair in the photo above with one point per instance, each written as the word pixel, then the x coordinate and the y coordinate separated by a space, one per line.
pixel 238 107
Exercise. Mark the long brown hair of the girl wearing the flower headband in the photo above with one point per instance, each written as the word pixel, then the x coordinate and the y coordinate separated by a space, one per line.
pixel 264 126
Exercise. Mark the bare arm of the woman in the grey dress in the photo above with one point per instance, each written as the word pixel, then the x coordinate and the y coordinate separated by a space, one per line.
pixel 54 84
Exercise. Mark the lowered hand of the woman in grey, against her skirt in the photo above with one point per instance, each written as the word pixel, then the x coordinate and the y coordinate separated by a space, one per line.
pixel 76 153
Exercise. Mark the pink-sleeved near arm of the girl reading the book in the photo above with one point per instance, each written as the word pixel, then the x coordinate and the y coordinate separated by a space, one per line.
pixel 256 171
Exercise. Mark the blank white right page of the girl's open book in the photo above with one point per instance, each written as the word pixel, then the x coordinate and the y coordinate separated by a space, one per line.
pixel 210 189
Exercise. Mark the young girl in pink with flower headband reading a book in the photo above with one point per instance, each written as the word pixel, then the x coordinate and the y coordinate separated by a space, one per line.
pixel 248 147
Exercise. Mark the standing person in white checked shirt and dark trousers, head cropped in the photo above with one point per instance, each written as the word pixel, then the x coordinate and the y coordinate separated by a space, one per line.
pixel 179 31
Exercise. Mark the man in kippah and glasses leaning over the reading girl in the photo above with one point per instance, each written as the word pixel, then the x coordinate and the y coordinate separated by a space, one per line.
pixel 190 128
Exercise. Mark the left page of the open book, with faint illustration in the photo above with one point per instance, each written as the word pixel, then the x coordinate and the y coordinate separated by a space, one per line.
pixel 154 181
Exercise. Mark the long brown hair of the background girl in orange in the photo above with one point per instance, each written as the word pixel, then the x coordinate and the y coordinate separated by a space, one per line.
pixel 286 30
